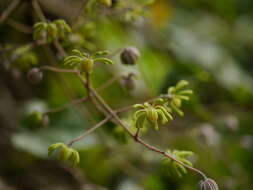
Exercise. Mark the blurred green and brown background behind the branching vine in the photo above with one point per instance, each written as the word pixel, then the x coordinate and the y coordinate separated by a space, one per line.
pixel 209 43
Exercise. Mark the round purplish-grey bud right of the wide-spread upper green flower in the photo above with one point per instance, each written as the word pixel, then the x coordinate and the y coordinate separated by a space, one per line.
pixel 129 55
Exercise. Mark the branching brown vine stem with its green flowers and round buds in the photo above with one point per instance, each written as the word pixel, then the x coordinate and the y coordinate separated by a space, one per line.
pixel 154 112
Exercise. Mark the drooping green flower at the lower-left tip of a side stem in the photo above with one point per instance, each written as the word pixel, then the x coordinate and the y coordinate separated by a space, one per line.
pixel 64 152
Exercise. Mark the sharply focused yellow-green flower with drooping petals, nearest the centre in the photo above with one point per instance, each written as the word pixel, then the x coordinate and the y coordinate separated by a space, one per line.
pixel 151 113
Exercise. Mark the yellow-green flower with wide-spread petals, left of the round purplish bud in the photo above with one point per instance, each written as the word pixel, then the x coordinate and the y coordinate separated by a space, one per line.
pixel 85 62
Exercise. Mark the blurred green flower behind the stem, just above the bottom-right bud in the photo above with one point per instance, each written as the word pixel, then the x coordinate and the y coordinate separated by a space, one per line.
pixel 175 168
